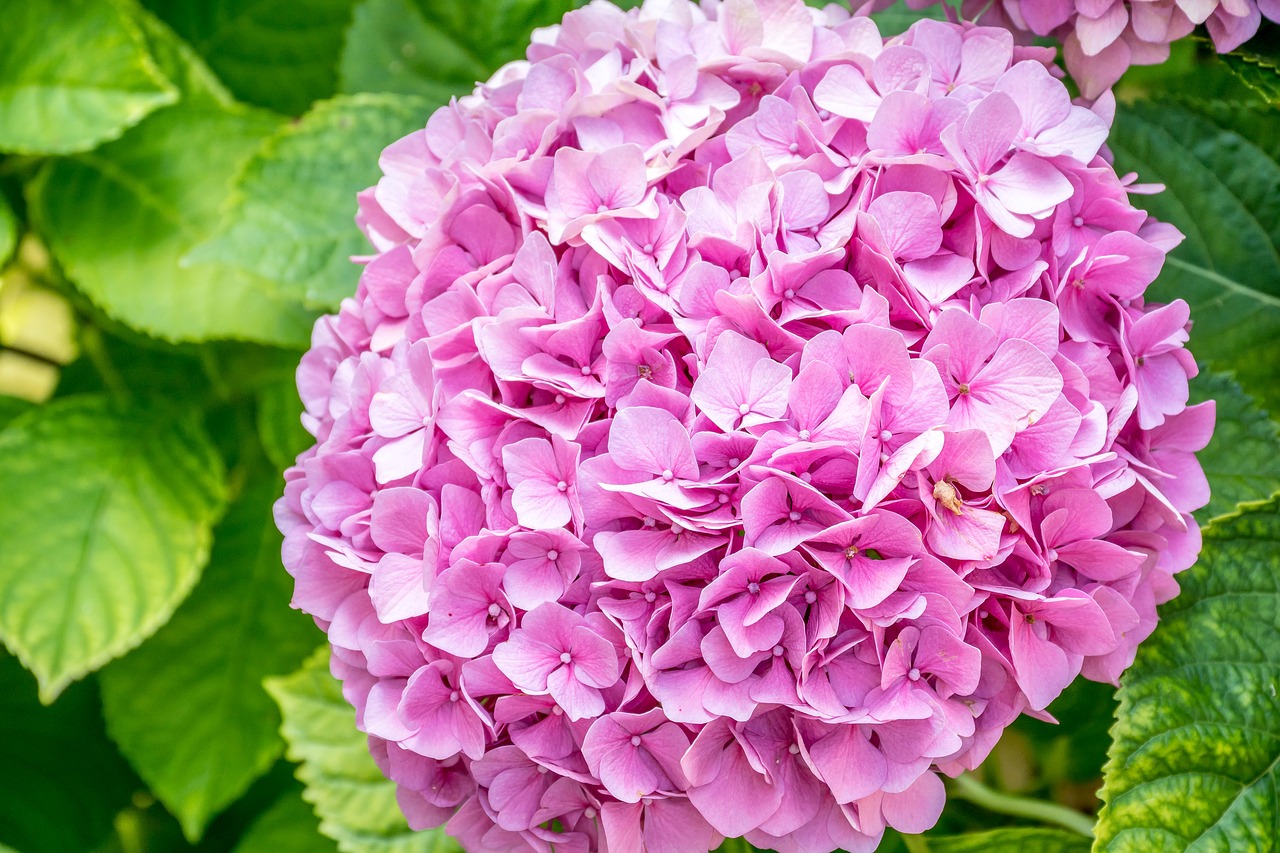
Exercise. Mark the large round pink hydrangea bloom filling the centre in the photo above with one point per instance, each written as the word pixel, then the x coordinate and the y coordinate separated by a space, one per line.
pixel 743 421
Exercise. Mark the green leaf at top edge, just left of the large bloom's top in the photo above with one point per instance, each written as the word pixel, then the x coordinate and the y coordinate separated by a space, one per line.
pixel 438 48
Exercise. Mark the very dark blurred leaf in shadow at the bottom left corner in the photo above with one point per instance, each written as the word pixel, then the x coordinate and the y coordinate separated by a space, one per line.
pixel 62 779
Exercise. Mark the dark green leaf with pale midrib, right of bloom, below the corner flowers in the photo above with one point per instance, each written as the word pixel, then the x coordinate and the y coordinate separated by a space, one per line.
pixel 1220 167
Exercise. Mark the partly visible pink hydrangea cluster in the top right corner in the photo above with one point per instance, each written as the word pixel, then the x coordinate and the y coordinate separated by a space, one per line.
pixel 1101 39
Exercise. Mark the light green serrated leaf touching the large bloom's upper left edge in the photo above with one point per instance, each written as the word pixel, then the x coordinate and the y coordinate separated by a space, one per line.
pixel 292 216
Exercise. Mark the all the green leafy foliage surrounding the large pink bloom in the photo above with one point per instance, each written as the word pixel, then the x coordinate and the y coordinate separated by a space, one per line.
pixel 177 189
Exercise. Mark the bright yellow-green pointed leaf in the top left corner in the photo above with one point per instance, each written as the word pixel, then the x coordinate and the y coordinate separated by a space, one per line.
pixel 74 74
